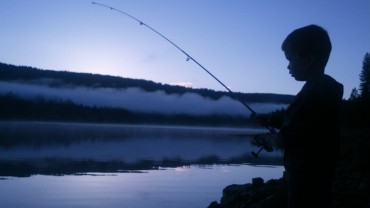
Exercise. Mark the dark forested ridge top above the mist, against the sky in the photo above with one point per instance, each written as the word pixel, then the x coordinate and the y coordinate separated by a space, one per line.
pixel 12 73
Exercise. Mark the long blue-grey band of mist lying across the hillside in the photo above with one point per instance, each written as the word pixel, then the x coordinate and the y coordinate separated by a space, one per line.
pixel 135 99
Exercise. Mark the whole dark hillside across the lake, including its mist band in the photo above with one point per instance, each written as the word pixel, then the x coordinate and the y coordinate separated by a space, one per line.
pixel 28 93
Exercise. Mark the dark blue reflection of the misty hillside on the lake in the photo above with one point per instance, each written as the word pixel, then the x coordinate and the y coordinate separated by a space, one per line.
pixel 73 148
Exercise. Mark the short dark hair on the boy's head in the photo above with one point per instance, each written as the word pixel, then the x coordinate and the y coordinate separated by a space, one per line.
pixel 311 39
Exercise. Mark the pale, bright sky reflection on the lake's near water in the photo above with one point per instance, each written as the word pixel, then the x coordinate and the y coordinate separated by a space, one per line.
pixel 180 187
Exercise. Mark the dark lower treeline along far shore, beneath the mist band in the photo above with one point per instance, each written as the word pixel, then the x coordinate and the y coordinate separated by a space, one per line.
pixel 13 107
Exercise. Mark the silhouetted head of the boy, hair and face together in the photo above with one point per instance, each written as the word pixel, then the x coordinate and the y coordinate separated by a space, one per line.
pixel 308 49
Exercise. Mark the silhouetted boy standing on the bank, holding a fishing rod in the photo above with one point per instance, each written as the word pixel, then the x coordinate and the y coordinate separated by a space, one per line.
pixel 310 132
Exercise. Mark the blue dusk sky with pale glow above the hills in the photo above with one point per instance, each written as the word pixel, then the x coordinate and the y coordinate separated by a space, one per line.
pixel 239 41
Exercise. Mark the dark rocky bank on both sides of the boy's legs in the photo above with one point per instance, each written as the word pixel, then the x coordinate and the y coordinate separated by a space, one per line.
pixel 351 187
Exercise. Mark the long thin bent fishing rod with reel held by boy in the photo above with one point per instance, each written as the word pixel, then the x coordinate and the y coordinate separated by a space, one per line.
pixel 189 57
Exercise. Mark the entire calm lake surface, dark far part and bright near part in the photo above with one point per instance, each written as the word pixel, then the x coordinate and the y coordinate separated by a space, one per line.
pixel 89 165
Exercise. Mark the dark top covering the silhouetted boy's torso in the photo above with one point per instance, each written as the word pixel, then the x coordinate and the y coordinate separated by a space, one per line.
pixel 312 122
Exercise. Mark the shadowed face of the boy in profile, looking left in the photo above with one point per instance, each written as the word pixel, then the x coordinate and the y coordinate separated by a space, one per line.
pixel 299 66
